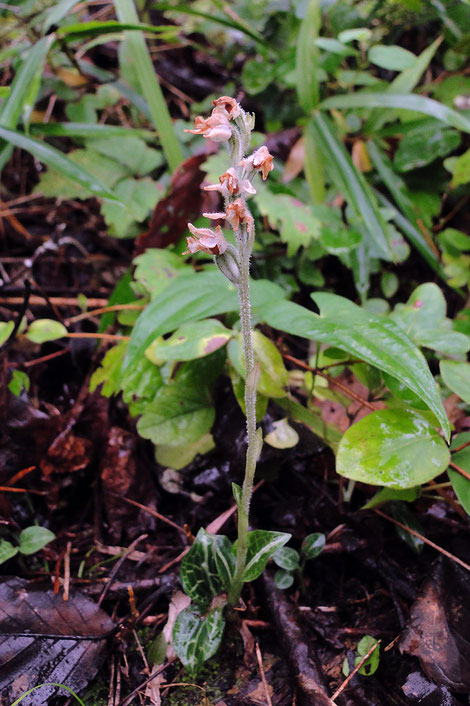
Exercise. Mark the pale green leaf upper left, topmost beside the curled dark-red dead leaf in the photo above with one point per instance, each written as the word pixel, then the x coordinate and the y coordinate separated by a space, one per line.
pixel 130 151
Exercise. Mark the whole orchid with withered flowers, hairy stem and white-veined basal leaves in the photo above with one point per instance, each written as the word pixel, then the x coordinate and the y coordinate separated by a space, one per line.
pixel 213 572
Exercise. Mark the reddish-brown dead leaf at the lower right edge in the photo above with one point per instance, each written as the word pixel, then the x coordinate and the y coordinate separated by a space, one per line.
pixel 439 627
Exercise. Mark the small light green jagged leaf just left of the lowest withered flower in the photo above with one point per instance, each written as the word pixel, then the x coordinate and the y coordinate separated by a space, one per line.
pixel 155 269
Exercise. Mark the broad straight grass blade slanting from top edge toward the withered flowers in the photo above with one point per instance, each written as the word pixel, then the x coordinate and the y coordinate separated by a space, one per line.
pixel 151 90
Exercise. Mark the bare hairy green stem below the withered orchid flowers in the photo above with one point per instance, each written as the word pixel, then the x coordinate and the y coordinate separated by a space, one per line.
pixel 250 406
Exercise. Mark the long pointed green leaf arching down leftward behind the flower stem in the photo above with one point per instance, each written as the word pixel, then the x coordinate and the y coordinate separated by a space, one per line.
pixel 191 298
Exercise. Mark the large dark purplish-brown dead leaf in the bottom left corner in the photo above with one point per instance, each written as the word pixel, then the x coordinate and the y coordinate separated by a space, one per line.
pixel 46 639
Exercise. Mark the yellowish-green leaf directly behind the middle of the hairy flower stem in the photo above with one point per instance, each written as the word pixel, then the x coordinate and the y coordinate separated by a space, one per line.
pixel 273 377
